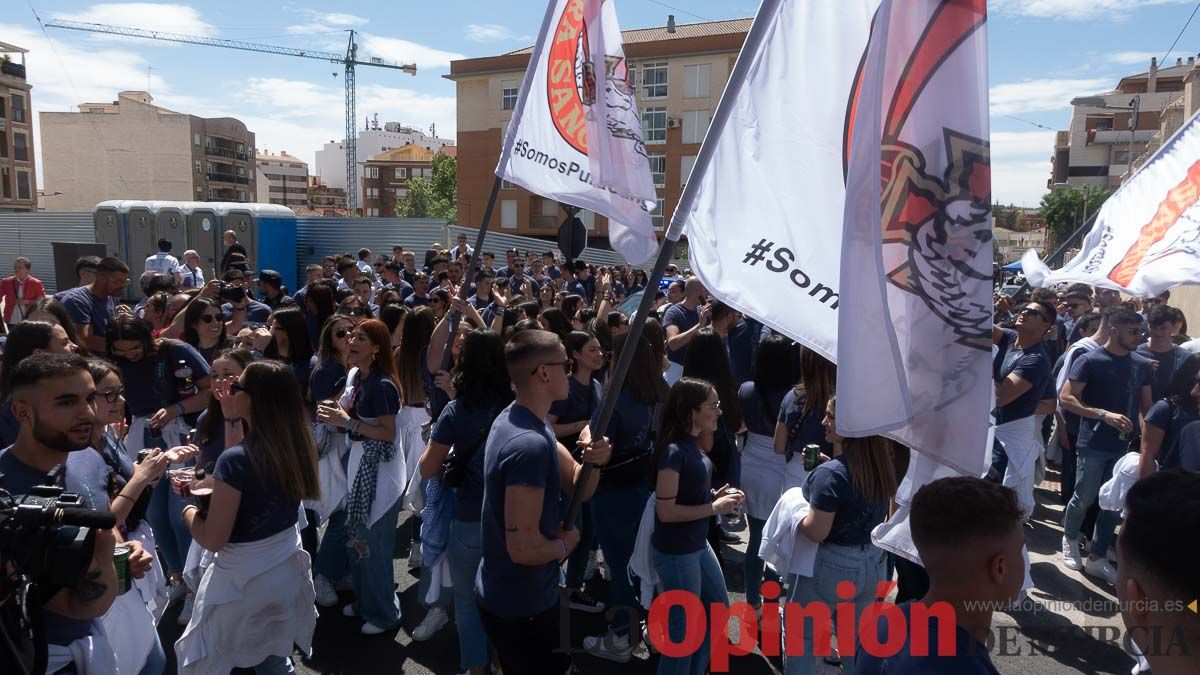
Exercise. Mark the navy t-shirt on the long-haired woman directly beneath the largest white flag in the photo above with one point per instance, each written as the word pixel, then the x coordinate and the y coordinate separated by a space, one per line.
pixel 831 489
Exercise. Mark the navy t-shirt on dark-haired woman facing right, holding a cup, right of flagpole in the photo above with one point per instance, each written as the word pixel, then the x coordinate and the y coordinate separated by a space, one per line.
pixel 695 489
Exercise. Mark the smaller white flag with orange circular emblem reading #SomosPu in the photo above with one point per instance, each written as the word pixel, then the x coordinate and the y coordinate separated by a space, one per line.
pixel 577 135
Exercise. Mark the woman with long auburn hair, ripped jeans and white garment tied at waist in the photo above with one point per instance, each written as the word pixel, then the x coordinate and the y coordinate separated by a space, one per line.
pixel 376 476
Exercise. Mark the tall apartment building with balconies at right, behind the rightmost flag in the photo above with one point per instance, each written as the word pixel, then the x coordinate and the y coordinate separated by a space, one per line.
pixel 1099 147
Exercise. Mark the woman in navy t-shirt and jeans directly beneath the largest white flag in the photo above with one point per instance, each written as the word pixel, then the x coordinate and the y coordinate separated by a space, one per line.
pixel 848 495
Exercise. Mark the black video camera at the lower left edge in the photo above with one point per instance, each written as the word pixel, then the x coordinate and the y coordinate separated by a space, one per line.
pixel 47 541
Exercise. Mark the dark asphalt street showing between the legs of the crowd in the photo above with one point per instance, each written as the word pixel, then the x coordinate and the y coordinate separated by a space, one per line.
pixel 1070 625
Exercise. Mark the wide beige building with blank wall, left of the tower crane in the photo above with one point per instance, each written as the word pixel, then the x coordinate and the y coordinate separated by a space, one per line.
pixel 133 150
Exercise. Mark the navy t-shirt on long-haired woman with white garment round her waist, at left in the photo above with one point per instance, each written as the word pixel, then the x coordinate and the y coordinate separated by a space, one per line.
pixel 265 510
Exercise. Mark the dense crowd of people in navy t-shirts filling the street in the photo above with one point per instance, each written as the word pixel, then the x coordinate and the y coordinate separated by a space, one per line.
pixel 259 446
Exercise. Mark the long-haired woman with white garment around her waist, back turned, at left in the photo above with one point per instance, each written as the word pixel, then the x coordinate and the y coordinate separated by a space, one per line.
pixel 255 605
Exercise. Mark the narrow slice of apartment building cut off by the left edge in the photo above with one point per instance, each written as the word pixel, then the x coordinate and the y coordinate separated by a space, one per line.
pixel 19 177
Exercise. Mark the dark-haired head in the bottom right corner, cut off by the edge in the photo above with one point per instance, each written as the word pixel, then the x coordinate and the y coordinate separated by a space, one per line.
pixel 1157 581
